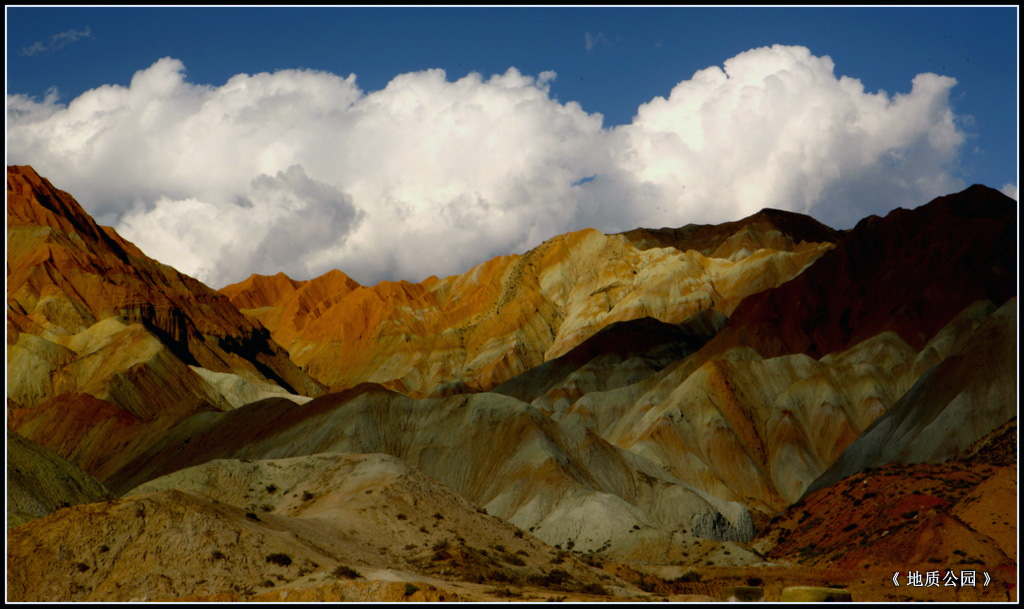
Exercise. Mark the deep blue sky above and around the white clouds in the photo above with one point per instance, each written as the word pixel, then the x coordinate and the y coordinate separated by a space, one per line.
pixel 610 61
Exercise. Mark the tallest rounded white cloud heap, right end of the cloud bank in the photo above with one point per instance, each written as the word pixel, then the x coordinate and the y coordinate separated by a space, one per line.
pixel 777 128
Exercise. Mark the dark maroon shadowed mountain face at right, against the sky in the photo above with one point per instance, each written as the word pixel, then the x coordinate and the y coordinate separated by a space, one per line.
pixel 910 273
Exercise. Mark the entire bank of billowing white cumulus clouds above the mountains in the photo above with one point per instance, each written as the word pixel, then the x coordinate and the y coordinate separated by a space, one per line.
pixel 303 171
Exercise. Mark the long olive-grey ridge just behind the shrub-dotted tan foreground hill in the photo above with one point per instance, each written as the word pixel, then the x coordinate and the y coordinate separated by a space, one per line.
pixel 563 483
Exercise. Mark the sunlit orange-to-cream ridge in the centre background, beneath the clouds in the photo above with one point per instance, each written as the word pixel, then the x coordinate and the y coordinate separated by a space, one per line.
pixel 475 331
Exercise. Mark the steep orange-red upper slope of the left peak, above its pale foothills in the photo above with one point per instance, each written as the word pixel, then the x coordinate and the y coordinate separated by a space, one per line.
pixel 66 274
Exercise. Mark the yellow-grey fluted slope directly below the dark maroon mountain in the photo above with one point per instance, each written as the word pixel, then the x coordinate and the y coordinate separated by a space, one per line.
pixel 759 431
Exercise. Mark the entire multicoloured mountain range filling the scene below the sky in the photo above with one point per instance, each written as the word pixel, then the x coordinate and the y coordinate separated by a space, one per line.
pixel 570 422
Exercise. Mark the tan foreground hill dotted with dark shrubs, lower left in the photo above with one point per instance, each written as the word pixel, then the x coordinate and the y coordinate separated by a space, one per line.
pixel 263 527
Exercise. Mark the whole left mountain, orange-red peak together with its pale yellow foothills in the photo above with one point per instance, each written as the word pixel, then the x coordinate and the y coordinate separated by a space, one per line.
pixel 97 328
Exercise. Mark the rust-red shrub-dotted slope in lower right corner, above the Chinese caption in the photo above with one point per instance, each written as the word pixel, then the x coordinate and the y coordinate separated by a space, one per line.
pixel 958 515
